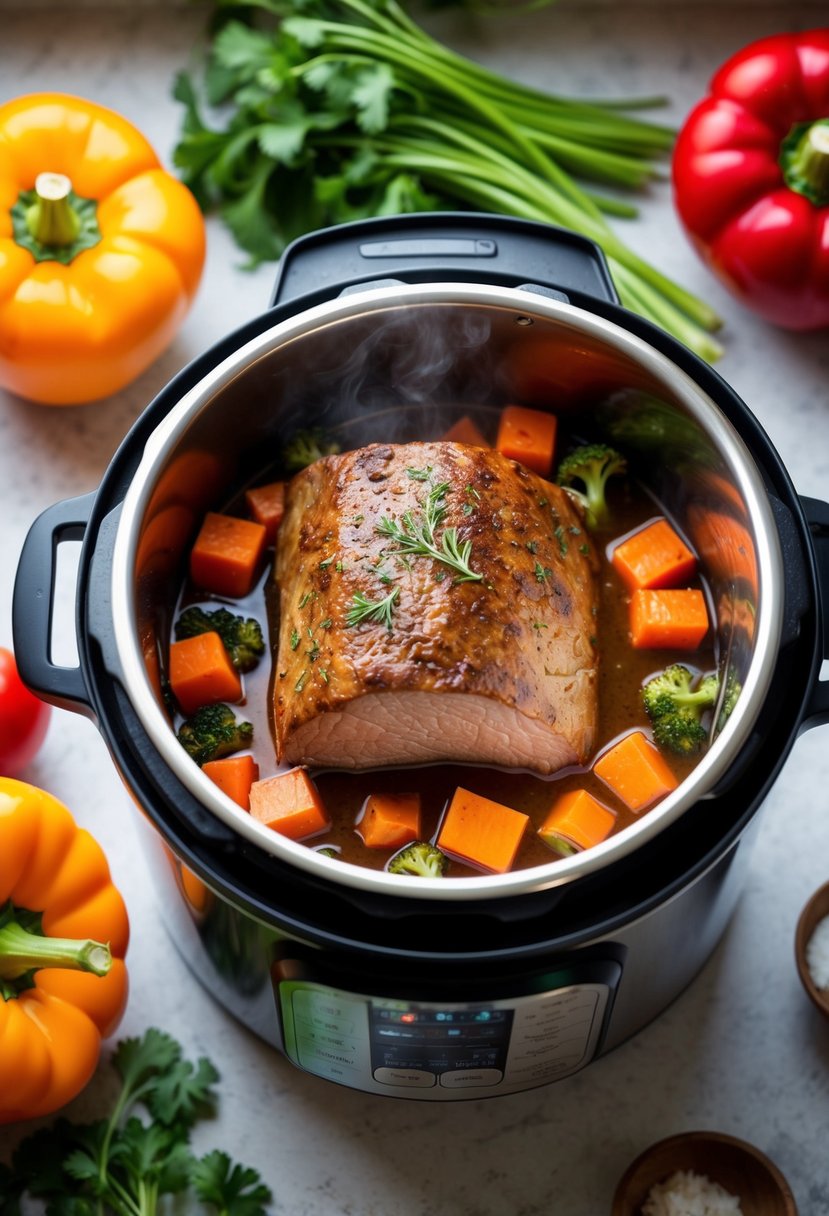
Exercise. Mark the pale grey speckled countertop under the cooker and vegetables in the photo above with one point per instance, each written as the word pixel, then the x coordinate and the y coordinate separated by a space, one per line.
pixel 742 1051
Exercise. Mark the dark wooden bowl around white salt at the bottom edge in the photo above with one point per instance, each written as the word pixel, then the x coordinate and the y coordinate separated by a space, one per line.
pixel 741 1169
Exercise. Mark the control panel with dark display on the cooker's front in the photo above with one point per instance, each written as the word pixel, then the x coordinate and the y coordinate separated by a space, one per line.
pixel 447 1050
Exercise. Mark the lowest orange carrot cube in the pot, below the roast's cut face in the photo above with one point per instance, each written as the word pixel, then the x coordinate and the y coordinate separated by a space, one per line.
pixel 482 832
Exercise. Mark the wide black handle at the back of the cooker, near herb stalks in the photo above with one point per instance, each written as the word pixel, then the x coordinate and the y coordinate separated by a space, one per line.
pixel 445 246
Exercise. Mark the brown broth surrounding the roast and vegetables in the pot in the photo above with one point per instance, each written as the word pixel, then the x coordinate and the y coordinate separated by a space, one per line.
pixel 623 671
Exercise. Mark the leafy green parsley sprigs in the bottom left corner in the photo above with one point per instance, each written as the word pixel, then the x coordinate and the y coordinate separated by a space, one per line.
pixel 125 1164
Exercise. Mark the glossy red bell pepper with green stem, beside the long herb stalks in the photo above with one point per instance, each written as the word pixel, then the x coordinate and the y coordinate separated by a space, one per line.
pixel 752 178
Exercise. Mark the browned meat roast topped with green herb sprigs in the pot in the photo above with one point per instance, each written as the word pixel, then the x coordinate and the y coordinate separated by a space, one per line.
pixel 390 655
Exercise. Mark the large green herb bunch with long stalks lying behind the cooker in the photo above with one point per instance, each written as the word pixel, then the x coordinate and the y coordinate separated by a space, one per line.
pixel 340 110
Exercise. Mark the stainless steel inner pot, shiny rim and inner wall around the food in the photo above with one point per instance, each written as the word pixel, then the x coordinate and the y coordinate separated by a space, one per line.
pixel 403 363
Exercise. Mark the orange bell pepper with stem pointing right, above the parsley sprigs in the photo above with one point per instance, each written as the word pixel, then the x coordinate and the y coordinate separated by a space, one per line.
pixel 64 934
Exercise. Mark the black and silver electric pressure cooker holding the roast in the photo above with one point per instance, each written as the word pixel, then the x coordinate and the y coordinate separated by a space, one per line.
pixel 441 989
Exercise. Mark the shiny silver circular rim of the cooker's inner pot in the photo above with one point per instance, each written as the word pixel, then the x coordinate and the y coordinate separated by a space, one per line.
pixel 710 770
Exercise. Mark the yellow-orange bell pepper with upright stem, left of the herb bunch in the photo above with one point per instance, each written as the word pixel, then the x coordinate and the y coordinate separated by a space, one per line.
pixel 101 251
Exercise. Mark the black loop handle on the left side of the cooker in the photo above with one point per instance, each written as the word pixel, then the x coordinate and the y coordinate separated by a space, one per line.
pixel 33 604
